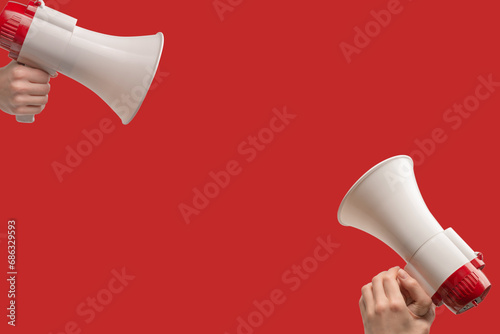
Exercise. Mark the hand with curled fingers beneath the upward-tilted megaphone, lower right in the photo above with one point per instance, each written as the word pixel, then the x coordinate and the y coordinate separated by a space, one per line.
pixel 394 303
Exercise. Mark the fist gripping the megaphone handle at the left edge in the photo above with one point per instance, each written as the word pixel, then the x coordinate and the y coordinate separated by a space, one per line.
pixel 23 90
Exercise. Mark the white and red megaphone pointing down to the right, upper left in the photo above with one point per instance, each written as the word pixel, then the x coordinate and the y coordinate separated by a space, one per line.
pixel 119 70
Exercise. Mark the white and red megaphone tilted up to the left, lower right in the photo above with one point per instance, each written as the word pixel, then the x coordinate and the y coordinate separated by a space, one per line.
pixel 386 203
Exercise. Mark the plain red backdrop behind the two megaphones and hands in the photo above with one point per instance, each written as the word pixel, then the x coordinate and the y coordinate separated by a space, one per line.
pixel 119 208
